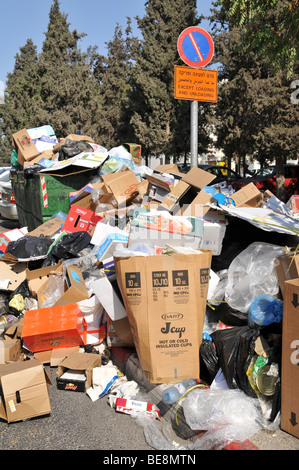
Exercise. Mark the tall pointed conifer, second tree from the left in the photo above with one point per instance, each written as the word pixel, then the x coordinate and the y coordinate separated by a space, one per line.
pixel 68 89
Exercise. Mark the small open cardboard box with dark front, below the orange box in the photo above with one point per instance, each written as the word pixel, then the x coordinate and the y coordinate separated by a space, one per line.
pixel 75 371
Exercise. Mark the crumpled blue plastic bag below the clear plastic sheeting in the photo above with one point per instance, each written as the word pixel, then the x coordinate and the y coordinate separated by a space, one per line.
pixel 265 310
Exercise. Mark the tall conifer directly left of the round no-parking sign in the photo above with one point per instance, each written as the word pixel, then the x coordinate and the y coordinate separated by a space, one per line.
pixel 160 121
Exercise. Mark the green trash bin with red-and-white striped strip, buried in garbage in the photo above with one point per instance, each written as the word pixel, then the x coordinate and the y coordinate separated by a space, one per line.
pixel 39 196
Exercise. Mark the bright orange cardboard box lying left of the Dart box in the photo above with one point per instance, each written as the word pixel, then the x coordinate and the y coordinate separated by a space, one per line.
pixel 53 327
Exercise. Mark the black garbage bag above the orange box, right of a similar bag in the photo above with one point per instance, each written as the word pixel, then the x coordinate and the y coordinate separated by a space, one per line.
pixel 68 247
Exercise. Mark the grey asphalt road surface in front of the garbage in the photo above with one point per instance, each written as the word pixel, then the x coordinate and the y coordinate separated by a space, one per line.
pixel 77 423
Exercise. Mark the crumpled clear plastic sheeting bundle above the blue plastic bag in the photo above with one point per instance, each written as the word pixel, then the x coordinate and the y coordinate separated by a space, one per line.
pixel 252 273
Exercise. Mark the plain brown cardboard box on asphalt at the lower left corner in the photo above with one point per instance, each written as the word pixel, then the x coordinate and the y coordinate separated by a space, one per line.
pixel 25 390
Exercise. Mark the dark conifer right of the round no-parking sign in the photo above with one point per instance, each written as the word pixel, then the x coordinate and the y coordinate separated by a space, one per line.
pixel 256 118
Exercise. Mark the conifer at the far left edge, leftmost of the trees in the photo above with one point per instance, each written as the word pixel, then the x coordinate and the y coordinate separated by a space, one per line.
pixel 20 97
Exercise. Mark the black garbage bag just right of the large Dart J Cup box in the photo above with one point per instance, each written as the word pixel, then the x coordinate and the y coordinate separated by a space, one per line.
pixel 235 349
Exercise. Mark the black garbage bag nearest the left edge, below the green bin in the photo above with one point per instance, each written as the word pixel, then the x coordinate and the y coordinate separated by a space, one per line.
pixel 29 247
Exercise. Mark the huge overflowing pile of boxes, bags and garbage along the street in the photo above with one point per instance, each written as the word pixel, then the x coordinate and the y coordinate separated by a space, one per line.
pixel 183 278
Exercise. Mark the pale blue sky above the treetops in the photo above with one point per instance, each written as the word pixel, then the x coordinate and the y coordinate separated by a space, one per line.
pixel 22 20
